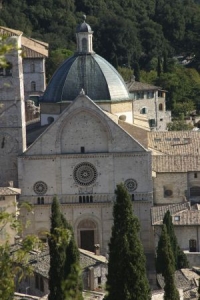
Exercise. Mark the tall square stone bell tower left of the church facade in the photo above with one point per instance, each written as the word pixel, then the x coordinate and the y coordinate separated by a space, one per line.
pixel 12 113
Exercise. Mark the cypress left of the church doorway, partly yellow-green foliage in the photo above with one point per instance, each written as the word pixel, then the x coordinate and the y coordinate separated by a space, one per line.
pixel 64 272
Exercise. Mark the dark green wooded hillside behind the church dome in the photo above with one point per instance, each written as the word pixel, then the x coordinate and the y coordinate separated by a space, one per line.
pixel 144 35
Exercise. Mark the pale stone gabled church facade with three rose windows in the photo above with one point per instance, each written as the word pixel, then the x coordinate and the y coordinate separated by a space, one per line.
pixel 84 140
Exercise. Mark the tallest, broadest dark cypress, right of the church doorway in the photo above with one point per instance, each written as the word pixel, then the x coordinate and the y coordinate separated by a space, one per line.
pixel 126 267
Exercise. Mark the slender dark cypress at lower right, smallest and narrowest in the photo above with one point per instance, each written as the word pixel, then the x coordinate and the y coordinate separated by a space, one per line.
pixel 170 291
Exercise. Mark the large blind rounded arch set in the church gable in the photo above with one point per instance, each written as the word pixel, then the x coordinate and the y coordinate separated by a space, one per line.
pixel 88 118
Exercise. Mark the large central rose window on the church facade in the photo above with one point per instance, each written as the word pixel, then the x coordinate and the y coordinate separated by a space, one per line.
pixel 85 174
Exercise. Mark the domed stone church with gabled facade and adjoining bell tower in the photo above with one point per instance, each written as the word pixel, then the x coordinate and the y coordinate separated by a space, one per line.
pixel 80 152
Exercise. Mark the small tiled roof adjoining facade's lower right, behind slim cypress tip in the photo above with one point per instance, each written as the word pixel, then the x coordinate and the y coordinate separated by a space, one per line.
pixel 158 212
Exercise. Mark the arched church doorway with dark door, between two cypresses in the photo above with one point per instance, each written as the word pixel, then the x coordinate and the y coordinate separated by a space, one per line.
pixel 87 234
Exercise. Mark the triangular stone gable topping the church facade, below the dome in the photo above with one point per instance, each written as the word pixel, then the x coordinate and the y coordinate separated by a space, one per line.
pixel 49 141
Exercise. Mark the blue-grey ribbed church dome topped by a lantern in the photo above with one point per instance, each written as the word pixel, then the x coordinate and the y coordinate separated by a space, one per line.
pixel 88 71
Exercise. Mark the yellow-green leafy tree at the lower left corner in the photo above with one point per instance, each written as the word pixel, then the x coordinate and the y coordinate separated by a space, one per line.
pixel 14 263
